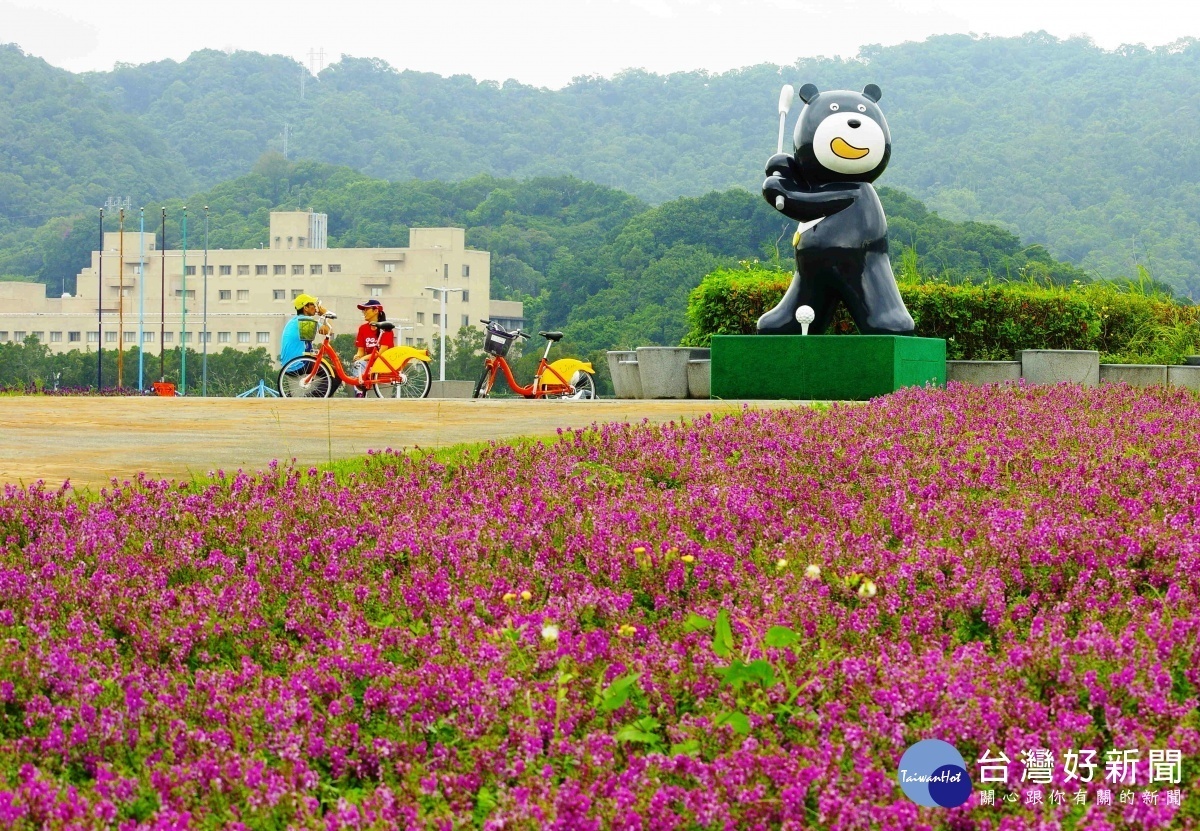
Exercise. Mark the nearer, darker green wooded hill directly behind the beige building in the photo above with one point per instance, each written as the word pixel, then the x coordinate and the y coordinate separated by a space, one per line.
pixel 610 270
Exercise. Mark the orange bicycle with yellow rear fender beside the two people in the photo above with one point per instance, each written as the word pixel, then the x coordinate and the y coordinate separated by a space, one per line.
pixel 394 373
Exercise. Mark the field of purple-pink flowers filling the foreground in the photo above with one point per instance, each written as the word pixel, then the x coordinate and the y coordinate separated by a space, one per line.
pixel 734 624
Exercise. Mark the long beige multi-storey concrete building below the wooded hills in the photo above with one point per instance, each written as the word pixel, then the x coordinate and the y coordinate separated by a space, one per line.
pixel 250 291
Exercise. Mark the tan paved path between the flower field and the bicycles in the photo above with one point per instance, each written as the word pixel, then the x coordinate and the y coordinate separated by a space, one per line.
pixel 93 440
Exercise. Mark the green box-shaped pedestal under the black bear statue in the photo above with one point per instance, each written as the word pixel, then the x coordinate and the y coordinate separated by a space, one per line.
pixel 825 368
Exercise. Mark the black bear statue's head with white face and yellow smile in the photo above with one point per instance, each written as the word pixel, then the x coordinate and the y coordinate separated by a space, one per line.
pixel 842 136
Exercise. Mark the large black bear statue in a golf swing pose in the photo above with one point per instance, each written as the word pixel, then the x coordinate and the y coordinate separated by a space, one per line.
pixel 843 145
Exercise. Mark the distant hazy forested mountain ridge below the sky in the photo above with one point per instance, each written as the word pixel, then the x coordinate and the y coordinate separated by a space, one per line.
pixel 1090 153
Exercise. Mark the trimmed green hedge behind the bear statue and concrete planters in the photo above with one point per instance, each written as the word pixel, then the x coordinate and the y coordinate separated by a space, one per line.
pixel 980 322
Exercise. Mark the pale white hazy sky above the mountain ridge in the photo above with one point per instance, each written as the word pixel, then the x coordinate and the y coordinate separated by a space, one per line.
pixel 549 43
